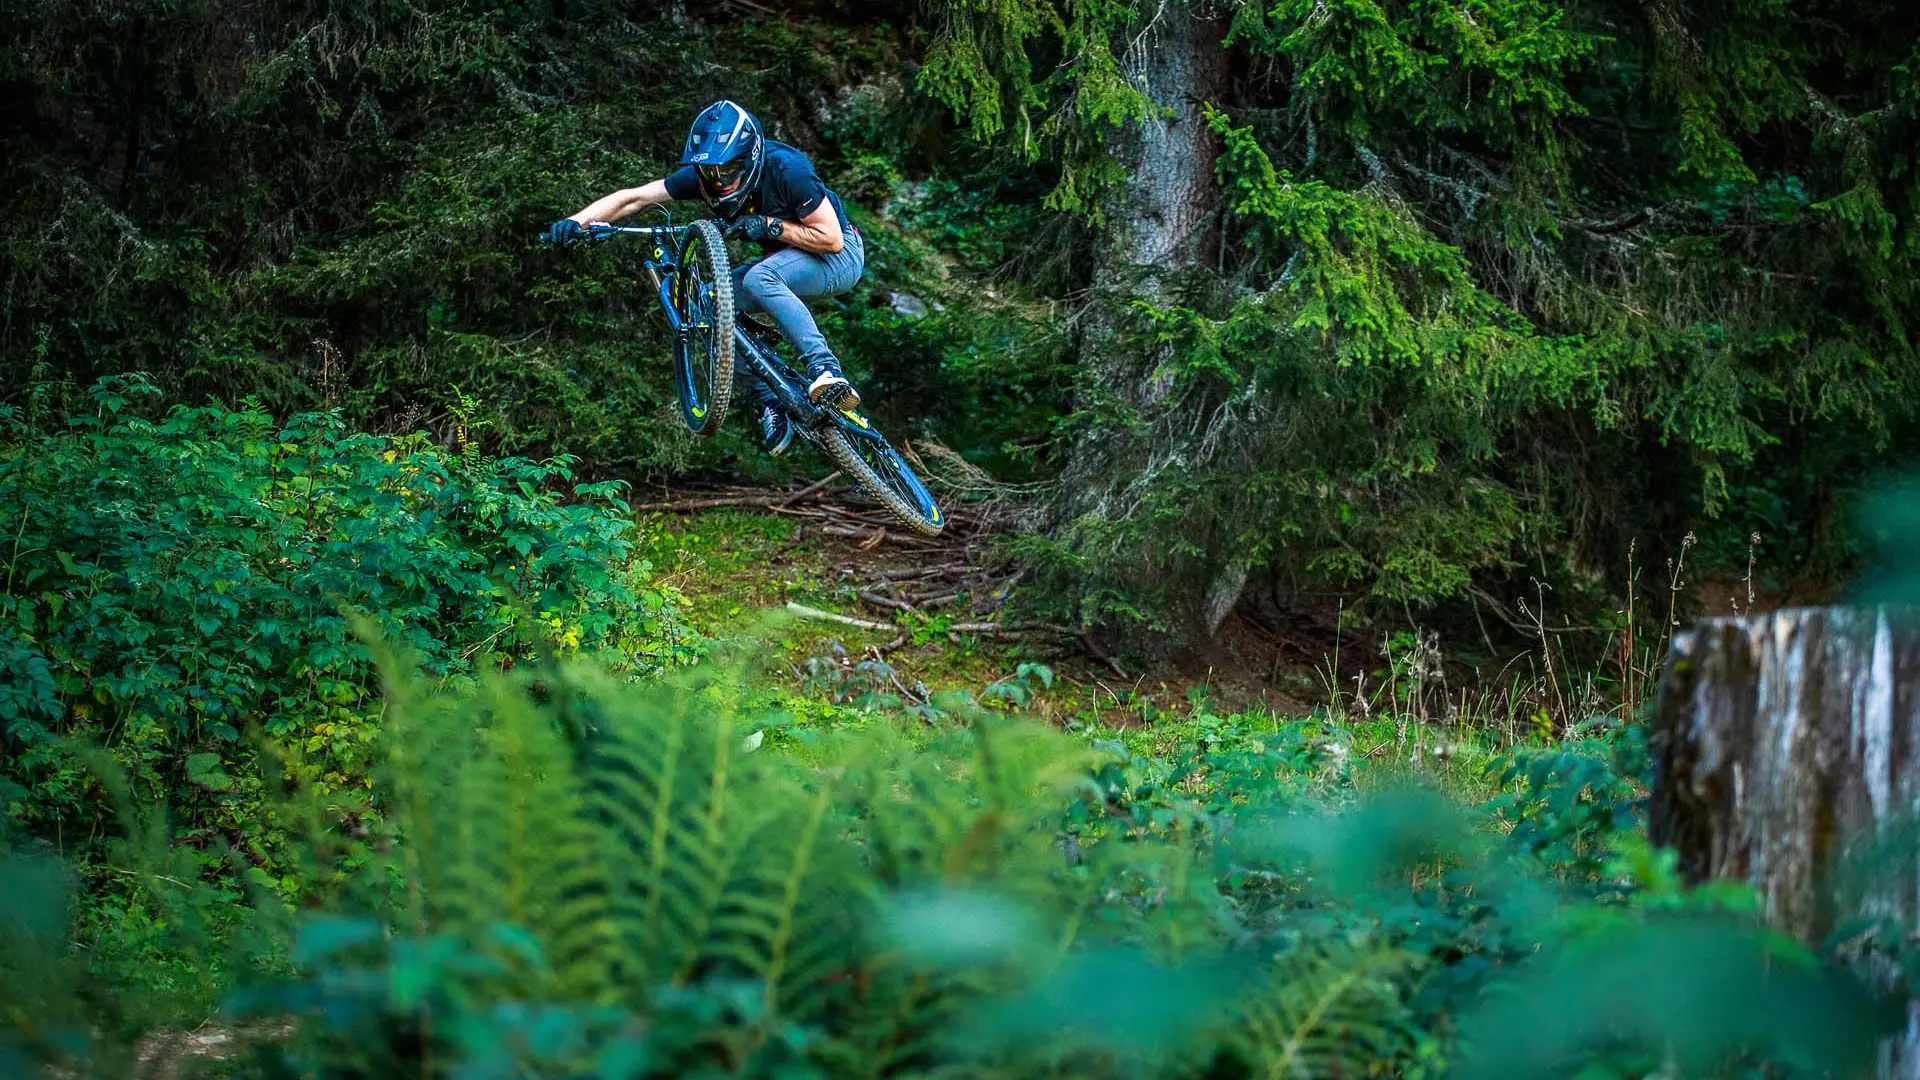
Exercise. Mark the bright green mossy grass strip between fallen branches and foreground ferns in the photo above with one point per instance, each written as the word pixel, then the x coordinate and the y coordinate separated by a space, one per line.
pixel 811 679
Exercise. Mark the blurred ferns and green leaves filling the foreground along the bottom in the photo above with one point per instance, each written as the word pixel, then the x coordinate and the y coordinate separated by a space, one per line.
pixel 565 873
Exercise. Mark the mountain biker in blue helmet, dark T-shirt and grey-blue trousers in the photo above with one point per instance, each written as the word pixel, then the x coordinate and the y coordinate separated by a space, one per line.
pixel 771 195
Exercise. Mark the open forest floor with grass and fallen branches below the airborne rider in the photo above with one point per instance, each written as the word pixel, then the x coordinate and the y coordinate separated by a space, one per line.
pixel 773 579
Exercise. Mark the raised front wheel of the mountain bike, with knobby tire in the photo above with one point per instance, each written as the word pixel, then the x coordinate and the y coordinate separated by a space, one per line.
pixel 704 353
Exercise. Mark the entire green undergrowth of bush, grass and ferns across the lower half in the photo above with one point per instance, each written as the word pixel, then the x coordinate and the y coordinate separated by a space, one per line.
pixel 552 829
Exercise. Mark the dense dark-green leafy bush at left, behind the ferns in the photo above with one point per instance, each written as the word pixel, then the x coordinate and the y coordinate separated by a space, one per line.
pixel 176 583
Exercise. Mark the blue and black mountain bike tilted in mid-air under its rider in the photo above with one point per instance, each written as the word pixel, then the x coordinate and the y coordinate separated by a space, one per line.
pixel 694 283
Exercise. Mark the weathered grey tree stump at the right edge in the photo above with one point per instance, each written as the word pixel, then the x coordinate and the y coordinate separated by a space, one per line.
pixel 1785 745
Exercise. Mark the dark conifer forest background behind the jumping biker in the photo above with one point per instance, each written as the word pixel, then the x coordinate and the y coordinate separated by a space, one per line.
pixel 1403 303
